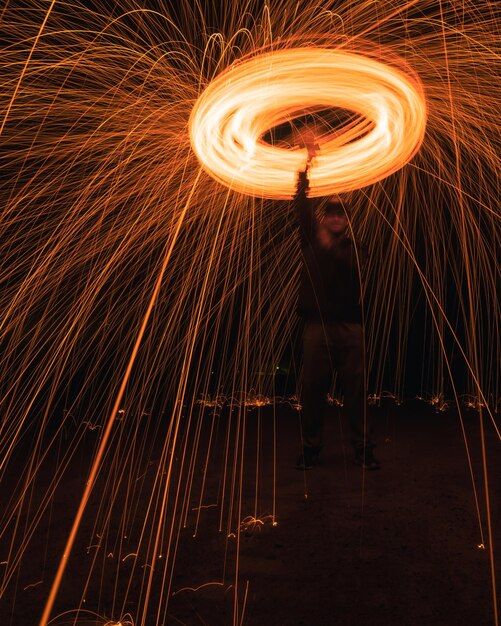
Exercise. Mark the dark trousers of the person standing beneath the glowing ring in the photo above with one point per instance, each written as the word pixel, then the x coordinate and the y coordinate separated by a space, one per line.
pixel 328 346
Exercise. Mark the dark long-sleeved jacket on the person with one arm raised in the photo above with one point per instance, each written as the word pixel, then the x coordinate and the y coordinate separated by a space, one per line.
pixel 330 278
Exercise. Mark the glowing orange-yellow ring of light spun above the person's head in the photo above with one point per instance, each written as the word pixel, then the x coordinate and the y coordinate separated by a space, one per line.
pixel 231 116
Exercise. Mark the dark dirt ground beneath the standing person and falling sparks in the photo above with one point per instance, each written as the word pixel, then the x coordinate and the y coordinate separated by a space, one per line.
pixel 399 546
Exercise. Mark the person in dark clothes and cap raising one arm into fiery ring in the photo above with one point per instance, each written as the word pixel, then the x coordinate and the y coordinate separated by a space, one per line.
pixel 329 302
